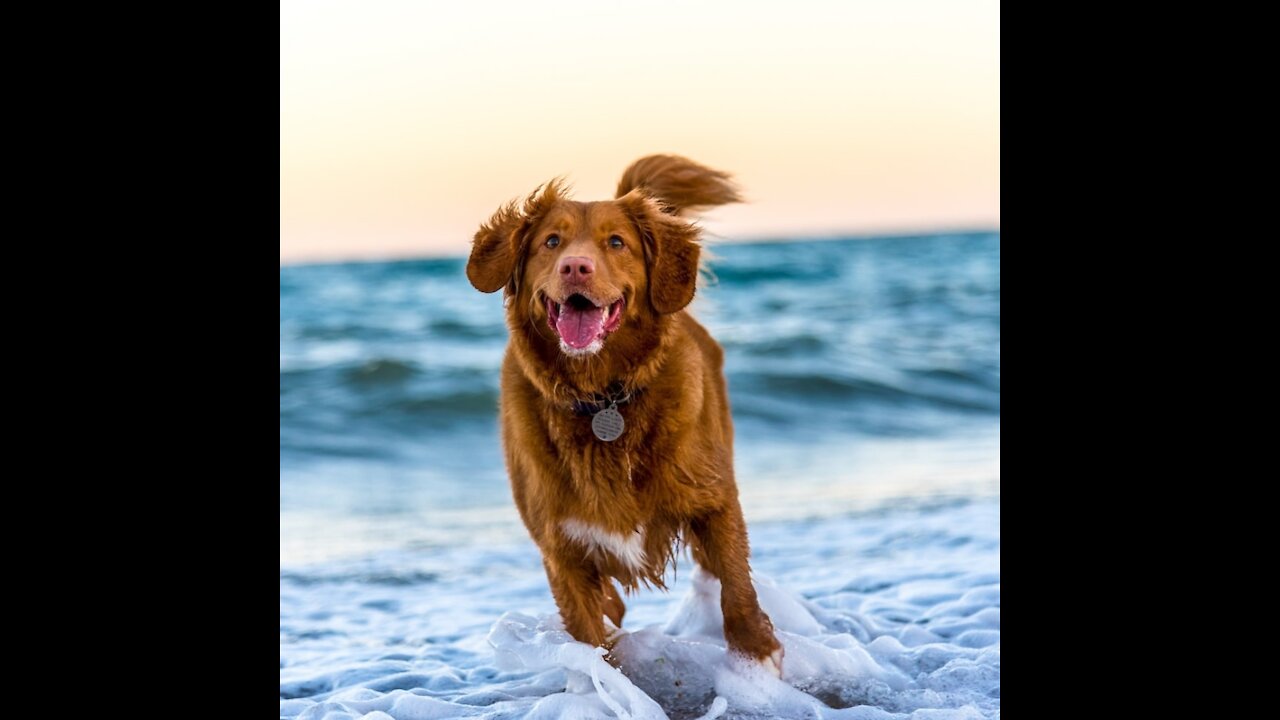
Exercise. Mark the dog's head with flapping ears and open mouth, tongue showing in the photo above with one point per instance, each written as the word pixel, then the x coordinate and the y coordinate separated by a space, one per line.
pixel 587 271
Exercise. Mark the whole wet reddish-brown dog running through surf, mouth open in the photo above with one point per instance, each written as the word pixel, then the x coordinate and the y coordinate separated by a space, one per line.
pixel 596 297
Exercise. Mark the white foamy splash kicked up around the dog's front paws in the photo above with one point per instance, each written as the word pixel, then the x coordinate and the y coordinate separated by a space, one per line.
pixel 687 667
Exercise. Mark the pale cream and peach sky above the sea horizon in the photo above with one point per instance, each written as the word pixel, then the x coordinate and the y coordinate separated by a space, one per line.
pixel 404 125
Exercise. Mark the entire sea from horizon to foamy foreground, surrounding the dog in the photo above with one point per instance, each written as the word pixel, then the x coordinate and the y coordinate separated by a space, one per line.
pixel 865 382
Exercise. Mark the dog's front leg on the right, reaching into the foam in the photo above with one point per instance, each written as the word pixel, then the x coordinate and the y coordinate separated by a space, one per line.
pixel 721 550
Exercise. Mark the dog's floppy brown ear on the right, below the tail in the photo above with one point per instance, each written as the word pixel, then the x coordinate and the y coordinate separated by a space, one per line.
pixel 671 252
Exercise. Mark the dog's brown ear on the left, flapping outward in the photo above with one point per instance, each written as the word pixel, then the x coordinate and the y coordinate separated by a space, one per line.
pixel 500 244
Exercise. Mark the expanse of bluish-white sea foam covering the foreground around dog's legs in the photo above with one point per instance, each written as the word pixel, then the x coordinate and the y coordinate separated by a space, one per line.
pixel 883 632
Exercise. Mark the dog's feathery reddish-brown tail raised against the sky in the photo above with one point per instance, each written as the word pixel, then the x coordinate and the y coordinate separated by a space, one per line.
pixel 682 185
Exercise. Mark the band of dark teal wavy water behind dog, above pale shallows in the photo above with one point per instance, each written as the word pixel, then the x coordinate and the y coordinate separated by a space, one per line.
pixel 874 336
